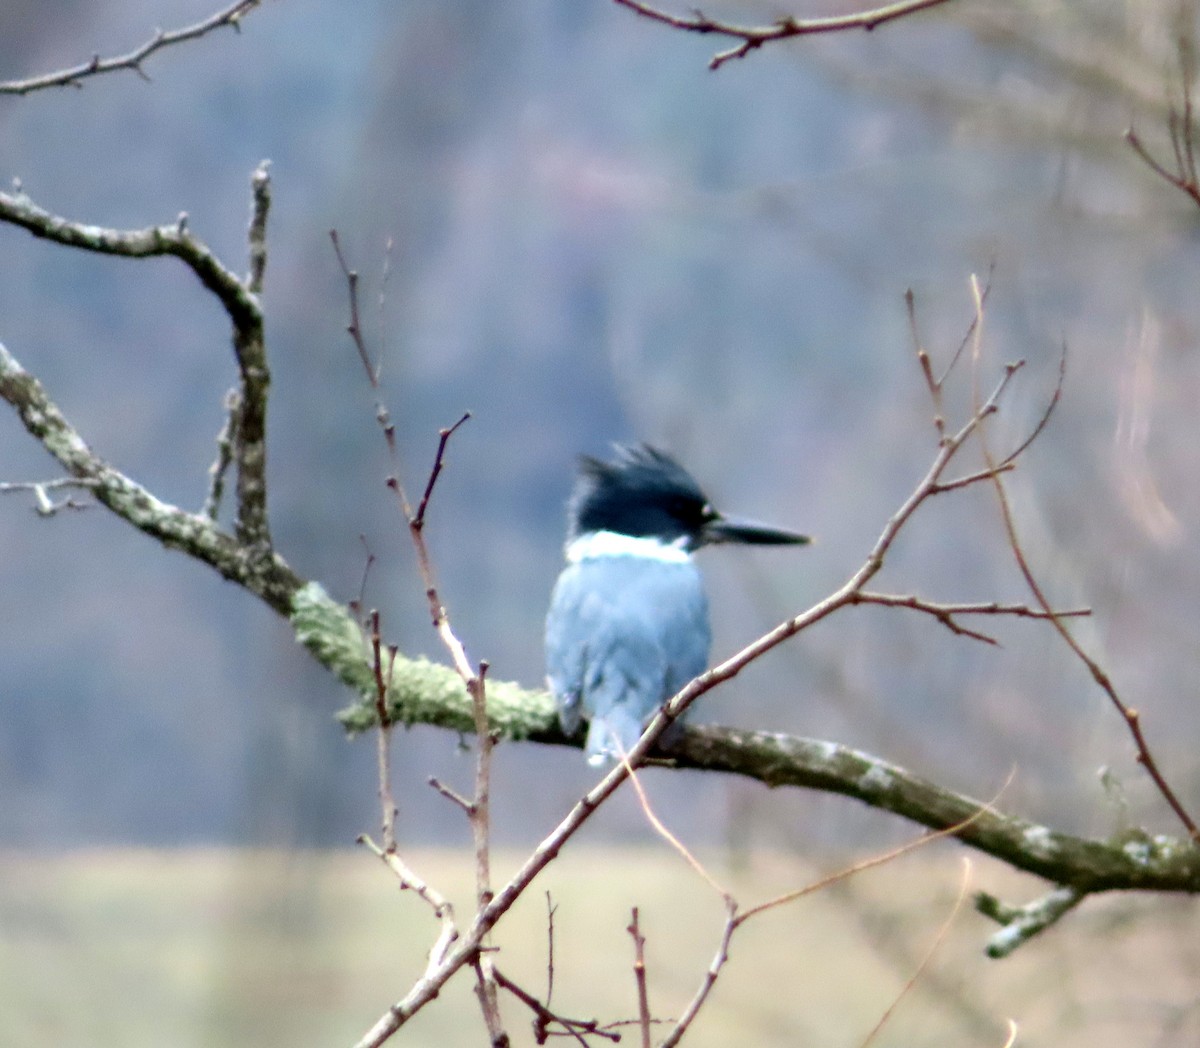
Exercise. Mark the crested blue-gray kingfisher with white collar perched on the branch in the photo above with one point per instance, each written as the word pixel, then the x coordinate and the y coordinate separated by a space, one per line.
pixel 628 622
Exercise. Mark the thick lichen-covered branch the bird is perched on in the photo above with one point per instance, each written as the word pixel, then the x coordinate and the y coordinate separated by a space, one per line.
pixel 427 693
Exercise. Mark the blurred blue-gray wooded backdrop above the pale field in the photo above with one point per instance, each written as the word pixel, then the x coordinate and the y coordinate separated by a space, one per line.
pixel 597 239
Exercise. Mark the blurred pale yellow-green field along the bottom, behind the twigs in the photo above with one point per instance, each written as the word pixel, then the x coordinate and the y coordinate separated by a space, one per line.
pixel 308 949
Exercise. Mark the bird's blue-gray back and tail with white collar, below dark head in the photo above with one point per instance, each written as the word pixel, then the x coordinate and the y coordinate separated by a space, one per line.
pixel 628 627
